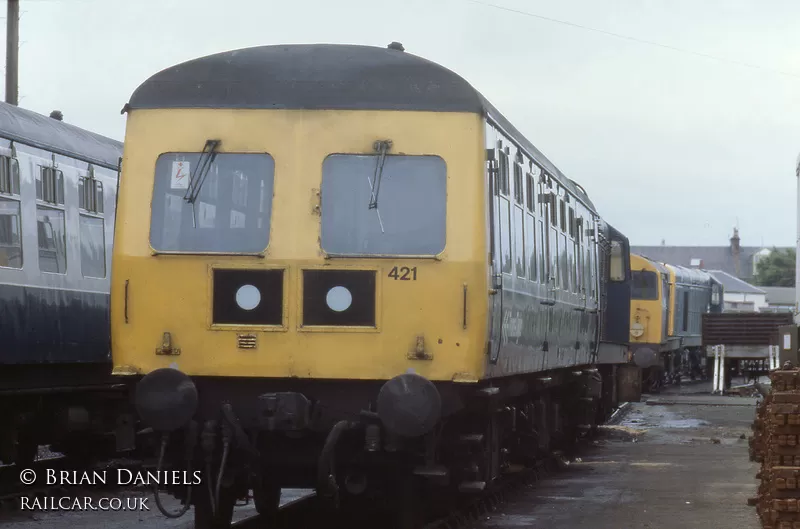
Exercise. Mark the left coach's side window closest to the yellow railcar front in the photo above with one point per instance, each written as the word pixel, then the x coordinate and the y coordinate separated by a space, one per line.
pixel 93 244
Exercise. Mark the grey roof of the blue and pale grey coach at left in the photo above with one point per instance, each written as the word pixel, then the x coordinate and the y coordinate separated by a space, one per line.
pixel 28 127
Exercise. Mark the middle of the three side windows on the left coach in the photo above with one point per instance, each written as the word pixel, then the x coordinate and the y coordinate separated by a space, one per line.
pixel 50 220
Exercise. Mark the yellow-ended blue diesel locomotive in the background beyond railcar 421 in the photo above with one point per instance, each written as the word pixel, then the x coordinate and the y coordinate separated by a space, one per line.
pixel 667 304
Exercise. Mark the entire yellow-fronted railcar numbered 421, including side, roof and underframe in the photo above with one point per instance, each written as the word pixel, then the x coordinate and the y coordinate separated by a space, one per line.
pixel 313 255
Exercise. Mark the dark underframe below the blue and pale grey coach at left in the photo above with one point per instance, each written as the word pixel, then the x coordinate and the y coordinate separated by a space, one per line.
pixel 78 410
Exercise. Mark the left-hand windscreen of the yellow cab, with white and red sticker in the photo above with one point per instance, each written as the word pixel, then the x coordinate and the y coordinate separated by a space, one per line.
pixel 219 207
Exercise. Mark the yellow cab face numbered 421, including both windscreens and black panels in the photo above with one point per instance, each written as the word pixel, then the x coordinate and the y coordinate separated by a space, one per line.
pixel 221 276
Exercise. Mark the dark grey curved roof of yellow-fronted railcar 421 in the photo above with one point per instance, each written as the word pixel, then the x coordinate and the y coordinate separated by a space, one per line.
pixel 325 76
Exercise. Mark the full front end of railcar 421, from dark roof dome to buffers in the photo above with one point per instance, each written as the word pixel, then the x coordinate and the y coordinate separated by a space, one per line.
pixel 310 257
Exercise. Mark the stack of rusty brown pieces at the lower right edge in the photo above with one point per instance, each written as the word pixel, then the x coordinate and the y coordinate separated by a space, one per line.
pixel 776 444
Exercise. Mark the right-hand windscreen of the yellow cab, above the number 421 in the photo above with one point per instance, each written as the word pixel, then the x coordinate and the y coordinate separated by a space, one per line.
pixel 407 217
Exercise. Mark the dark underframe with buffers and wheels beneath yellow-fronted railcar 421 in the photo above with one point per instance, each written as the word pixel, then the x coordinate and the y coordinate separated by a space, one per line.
pixel 345 441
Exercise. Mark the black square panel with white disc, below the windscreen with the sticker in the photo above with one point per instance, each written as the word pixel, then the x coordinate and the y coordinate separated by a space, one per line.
pixel 248 297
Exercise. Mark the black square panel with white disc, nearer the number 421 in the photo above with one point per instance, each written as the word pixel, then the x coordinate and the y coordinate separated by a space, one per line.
pixel 339 297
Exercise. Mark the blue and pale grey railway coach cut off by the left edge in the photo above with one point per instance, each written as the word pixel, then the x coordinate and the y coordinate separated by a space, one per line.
pixel 57 201
